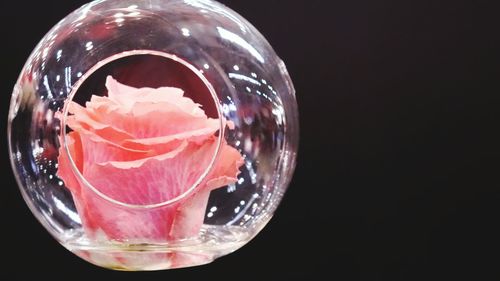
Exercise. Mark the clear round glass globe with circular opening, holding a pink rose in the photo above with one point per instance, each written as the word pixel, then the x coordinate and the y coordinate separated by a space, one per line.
pixel 154 134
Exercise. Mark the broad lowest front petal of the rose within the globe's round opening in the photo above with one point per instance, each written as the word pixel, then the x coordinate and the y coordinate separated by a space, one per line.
pixel 152 180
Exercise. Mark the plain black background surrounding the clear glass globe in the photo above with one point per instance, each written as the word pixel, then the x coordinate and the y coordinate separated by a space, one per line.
pixel 397 177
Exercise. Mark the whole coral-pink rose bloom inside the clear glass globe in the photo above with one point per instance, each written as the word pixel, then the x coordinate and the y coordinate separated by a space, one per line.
pixel 142 147
